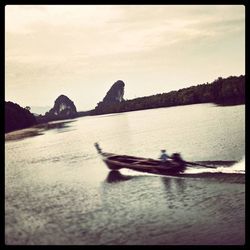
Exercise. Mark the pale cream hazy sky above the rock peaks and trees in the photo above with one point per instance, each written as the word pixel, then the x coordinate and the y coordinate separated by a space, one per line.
pixel 81 50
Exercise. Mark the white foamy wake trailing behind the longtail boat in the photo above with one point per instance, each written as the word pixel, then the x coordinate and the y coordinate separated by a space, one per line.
pixel 237 168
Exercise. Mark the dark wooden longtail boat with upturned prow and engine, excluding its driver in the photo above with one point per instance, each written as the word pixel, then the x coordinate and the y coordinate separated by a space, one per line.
pixel 115 162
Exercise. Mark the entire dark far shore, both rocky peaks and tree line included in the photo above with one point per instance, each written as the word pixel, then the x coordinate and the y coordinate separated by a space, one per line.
pixel 222 91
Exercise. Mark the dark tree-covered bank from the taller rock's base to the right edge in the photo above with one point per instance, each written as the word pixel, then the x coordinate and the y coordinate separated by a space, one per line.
pixel 228 91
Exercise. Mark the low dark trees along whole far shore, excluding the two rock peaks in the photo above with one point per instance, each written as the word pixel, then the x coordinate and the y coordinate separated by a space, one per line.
pixel 228 91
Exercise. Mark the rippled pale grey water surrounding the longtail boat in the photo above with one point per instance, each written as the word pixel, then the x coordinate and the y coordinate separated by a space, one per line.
pixel 58 191
